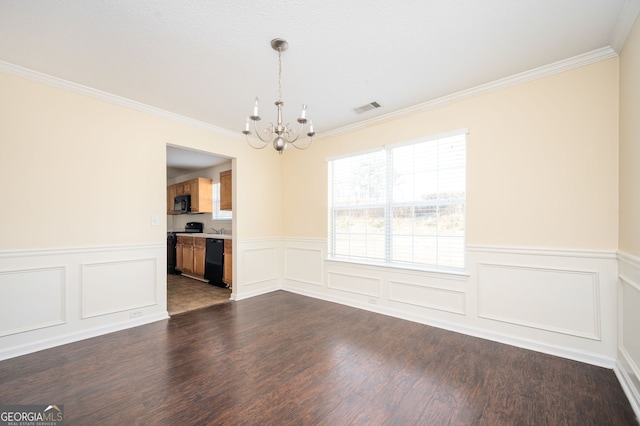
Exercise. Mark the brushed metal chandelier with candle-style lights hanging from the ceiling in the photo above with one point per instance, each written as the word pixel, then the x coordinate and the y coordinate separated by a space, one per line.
pixel 279 135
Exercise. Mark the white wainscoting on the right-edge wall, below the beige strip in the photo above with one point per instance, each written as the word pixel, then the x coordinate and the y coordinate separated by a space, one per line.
pixel 628 364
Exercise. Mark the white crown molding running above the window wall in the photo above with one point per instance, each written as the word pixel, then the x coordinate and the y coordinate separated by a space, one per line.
pixel 534 74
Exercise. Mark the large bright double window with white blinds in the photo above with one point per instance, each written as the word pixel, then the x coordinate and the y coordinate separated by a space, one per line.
pixel 402 204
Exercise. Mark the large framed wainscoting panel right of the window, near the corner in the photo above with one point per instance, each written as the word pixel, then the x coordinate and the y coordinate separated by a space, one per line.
pixel 557 300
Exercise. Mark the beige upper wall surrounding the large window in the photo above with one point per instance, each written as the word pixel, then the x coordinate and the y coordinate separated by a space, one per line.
pixel 542 162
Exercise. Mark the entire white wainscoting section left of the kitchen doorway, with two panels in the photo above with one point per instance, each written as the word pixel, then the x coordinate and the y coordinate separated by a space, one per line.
pixel 50 297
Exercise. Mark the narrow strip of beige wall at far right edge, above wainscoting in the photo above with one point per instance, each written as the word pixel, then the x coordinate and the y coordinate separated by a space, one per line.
pixel 630 144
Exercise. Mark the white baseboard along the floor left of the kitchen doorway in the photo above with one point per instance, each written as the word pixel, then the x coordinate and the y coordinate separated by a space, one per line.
pixel 80 335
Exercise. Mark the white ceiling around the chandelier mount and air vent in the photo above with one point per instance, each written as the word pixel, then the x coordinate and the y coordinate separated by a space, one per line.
pixel 208 60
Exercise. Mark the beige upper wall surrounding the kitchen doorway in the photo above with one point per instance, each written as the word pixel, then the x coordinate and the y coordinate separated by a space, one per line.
pixel 77 171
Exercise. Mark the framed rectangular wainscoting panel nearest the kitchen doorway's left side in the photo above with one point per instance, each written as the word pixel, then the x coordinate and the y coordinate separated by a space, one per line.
pixel 104 284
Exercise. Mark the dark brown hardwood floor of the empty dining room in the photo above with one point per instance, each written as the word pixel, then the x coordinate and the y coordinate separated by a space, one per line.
pixel 285 359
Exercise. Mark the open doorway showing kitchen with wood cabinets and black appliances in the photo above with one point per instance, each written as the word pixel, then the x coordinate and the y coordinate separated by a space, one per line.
pixel 190 289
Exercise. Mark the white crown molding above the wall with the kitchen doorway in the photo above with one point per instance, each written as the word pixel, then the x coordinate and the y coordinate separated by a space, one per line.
pixel 39 77
